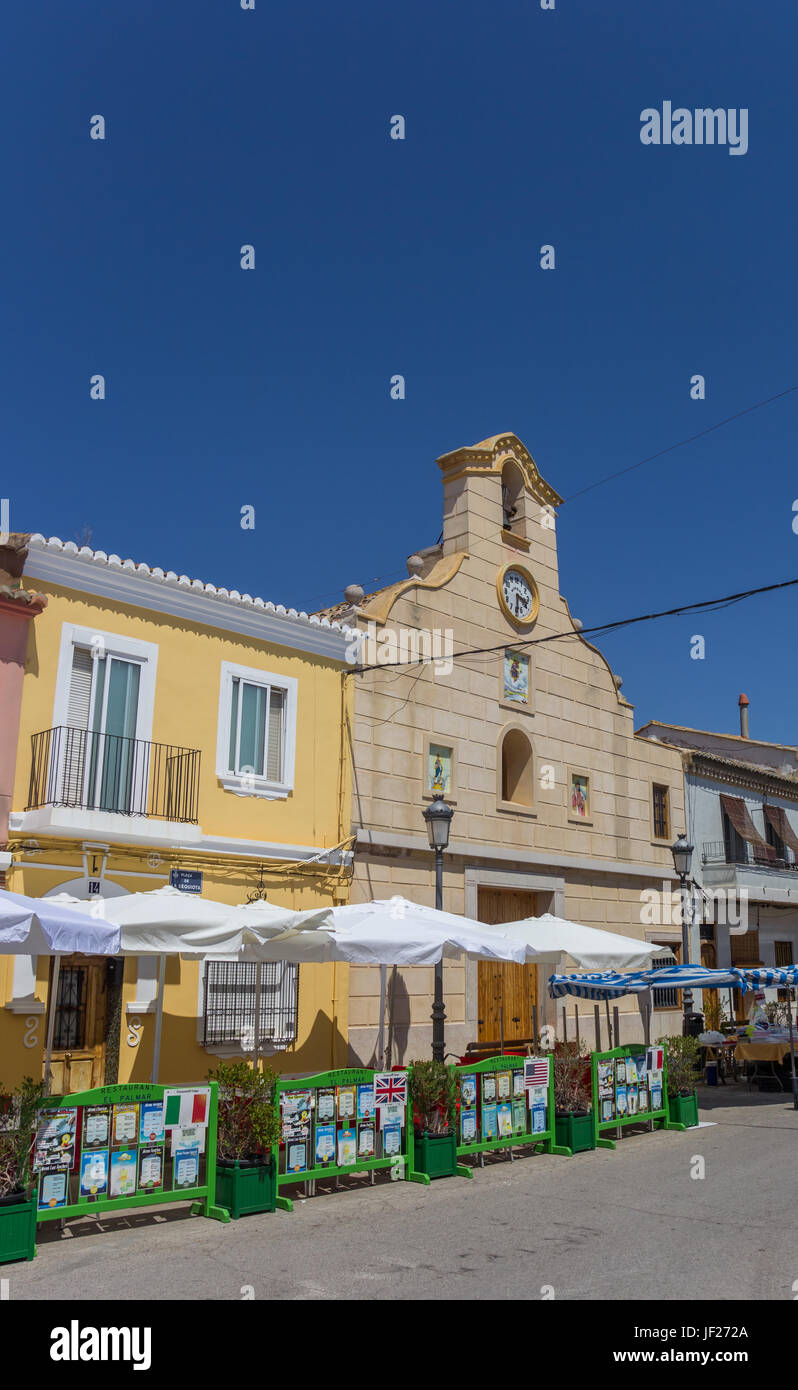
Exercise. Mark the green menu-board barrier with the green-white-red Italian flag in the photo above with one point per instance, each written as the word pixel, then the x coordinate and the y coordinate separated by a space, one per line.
pixel 117 1138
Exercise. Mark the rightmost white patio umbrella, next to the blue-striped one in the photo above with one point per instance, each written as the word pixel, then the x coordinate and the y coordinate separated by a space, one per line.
pixel 550 939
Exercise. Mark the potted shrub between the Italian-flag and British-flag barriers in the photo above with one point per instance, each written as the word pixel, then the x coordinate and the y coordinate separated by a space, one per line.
pixel 247 1134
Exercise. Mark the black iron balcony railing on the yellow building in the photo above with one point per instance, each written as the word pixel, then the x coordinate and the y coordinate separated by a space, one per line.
pixel 108 774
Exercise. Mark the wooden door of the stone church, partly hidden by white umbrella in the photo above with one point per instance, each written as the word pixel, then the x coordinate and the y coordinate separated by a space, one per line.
pixel 507 993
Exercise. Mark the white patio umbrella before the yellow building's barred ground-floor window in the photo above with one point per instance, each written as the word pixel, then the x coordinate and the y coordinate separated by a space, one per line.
pixel 168 922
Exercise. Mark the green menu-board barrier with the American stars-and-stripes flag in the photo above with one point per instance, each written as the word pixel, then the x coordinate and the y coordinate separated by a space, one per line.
pixel 498 1085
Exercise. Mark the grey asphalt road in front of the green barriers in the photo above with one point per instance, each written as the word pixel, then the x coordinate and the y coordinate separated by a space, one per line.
pixel 625 1225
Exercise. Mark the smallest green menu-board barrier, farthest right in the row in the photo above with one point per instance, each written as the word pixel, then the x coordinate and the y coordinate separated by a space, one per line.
pixel 614 1092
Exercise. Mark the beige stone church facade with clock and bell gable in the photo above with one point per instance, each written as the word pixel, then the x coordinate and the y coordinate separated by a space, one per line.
pixel 516 771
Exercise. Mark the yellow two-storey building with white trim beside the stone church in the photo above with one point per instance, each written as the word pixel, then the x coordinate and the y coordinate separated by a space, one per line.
pixel 168 732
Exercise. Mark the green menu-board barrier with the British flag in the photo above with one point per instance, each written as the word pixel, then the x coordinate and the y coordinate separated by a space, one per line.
pixel 330 1128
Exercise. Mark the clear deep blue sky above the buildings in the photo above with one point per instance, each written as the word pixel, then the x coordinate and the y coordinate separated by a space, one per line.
pixel 422 258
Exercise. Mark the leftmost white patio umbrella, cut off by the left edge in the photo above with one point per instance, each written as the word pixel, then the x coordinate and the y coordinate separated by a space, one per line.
pixel 51 926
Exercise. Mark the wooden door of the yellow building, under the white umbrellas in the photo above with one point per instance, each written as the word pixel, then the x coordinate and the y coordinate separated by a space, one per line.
pixel 81 1025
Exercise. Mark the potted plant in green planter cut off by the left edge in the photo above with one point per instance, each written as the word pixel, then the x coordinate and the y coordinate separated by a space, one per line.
pixel 17 1200
